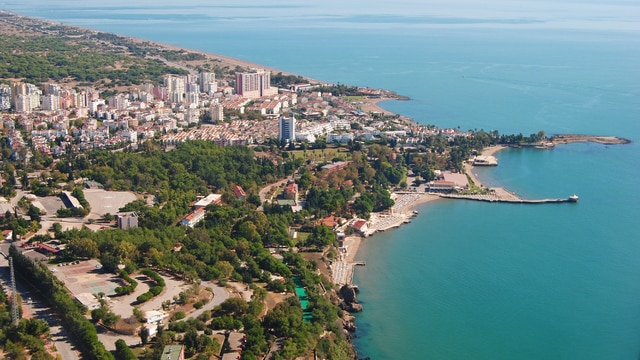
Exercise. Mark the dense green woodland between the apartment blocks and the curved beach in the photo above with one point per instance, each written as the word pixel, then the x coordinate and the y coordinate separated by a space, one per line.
pixel 231 243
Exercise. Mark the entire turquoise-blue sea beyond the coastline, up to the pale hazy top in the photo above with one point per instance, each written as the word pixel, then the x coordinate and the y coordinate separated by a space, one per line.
pixel 465 280
